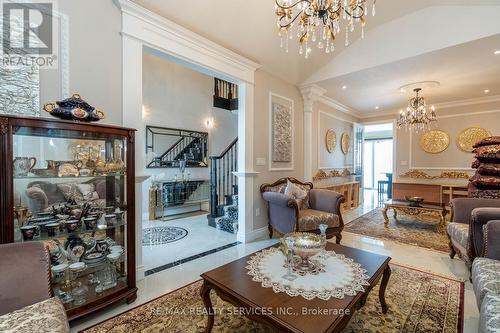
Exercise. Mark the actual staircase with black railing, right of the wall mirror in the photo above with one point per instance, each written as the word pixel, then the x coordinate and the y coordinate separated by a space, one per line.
pixel 224 190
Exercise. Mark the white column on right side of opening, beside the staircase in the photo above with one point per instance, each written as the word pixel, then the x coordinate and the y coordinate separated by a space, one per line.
pixel 245 172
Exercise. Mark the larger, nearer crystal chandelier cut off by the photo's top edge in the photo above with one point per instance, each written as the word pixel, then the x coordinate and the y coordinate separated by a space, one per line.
pixel 319 21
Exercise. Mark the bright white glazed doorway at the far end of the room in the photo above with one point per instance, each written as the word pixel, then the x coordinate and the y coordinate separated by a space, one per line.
pixel 378 160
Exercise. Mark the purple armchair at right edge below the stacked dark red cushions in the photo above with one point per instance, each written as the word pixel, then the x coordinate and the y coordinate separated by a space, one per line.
pixel 474 230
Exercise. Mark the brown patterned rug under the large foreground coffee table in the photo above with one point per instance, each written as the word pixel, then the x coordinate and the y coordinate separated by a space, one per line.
pixel 418 302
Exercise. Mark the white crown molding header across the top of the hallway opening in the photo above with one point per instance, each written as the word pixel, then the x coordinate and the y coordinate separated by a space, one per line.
pixel 150 25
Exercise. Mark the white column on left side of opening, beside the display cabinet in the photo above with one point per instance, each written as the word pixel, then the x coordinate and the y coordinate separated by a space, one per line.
pixel 132 117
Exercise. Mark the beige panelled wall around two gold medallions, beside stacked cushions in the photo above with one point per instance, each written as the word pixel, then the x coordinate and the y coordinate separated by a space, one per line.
pixel 451 120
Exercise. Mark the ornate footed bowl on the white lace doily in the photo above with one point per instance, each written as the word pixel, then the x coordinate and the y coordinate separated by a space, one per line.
pixel 305 245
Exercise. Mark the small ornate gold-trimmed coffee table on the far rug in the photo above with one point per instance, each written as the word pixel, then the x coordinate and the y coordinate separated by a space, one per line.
pixel 423 212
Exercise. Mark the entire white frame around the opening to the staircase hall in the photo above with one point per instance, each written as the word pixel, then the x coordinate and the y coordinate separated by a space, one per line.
pixel 142 28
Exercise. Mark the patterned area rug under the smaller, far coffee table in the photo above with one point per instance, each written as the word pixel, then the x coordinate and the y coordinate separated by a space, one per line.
pixel 403 230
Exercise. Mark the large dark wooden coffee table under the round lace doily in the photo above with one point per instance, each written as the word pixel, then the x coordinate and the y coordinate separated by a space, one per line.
pixel 284 313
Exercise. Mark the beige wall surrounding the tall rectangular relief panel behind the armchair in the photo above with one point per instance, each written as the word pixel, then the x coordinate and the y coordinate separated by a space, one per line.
pixel 264 84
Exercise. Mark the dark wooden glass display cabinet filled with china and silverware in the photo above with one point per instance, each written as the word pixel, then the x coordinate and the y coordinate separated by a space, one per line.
pixel 53 172
